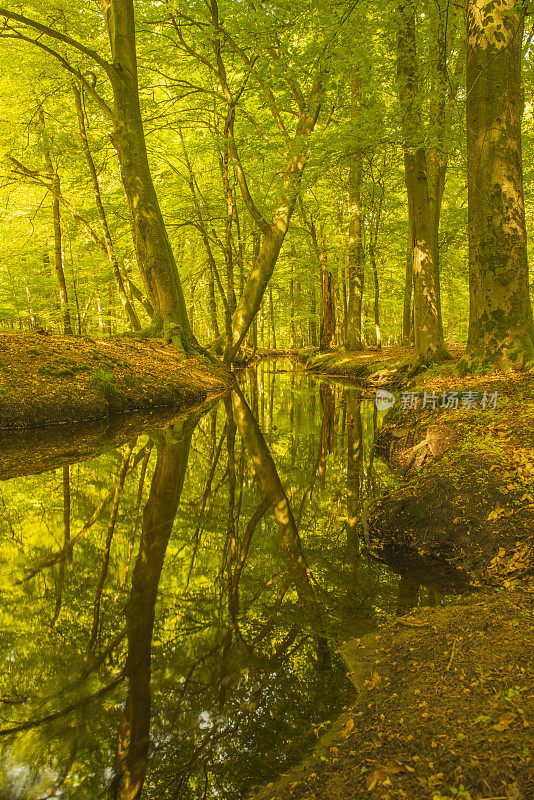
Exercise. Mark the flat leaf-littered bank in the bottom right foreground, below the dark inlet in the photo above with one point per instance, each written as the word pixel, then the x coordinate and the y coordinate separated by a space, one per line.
pixel 445 710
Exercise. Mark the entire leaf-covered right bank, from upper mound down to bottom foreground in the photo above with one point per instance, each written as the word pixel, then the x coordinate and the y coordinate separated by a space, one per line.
pixel 445 707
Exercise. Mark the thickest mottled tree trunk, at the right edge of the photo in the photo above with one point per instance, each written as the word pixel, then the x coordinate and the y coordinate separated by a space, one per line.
pixel 501 331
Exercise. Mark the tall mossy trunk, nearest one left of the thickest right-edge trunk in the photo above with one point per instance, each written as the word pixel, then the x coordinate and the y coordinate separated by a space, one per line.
pixel 429 343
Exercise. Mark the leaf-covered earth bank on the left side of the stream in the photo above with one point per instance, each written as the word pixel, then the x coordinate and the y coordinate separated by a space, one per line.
pixel 49 380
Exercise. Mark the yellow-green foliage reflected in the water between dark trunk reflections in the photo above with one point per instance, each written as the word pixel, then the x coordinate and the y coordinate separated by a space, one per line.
pixel 236 667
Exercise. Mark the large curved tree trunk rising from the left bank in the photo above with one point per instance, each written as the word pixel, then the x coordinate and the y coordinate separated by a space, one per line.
pixel 152 246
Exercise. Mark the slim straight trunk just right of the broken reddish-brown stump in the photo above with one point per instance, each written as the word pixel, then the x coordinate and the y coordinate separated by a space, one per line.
pixel 353 324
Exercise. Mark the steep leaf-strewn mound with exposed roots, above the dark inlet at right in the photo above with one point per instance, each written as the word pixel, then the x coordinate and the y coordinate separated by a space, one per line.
pixel 467 498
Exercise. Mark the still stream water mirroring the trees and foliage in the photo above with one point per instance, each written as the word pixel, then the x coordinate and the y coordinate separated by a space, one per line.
pixel 172 609
